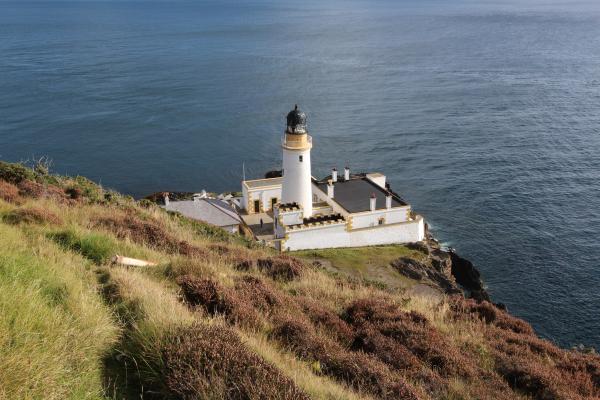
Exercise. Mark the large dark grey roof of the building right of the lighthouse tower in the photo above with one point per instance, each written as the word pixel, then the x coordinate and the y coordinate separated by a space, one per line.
pixel 354 195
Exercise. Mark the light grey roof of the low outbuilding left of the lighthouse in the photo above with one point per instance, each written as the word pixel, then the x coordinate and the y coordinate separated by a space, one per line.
pixel 214 211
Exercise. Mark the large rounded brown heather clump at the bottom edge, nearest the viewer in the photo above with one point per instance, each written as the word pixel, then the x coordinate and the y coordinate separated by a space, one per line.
pixel 203 362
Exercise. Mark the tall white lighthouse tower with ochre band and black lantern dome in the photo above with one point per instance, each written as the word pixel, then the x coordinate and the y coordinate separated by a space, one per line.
pixel 296 143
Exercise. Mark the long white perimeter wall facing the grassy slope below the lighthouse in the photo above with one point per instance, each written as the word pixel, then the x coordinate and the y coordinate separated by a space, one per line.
pixel 337 236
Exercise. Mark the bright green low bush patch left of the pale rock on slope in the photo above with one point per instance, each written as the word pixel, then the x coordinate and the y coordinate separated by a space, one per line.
pixel 96 247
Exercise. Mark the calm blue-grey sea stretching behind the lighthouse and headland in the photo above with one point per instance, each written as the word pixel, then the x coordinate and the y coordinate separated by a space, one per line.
pixel 484 114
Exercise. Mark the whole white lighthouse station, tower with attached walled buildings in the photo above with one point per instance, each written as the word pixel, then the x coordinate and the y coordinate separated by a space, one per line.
pixel 341 210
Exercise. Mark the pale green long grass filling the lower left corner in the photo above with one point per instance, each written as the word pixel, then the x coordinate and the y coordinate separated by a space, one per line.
pixel 54 328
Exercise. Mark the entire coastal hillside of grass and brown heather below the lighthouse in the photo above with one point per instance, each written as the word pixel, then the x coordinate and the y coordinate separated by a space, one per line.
pixel 218 316
